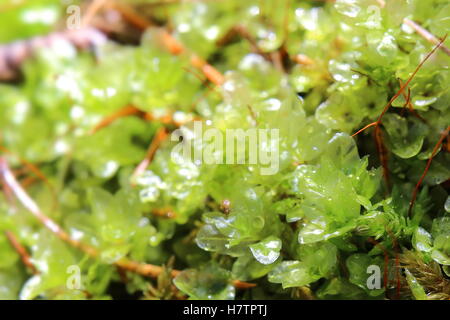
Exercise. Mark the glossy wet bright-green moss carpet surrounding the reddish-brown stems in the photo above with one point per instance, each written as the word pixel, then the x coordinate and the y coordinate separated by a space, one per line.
pixel 318 223
